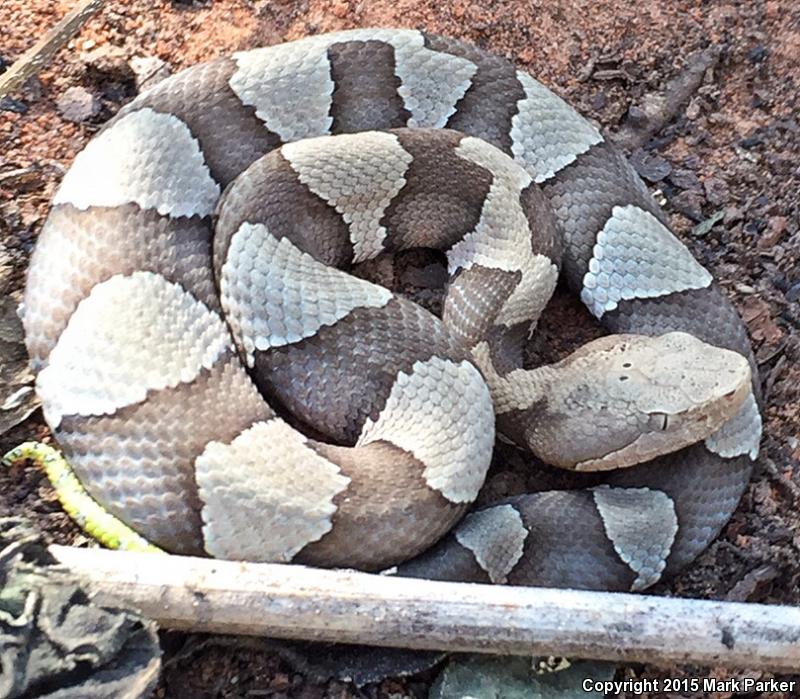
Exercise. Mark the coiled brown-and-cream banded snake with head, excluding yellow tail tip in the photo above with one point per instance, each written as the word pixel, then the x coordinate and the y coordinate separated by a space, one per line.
pixel 189 305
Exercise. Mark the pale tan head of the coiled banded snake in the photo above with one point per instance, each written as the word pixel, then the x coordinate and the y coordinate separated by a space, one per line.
pixel 625 399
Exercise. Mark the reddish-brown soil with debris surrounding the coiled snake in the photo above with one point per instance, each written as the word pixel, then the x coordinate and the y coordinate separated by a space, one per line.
pixel 734 149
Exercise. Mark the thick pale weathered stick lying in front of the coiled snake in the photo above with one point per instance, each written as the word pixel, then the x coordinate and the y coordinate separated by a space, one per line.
pixel 287 601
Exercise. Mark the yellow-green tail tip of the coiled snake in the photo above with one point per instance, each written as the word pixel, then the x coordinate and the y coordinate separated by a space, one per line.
pixel 78 504
